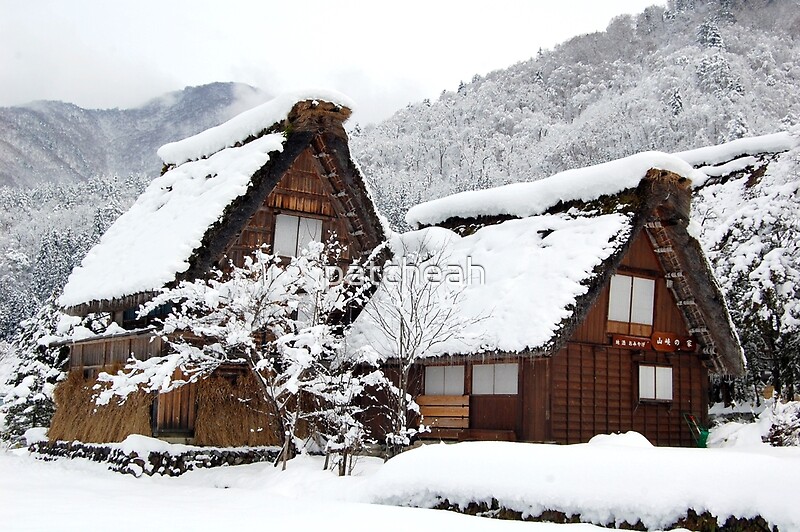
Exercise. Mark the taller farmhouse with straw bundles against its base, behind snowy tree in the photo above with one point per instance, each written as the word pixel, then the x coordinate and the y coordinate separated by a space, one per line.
pixel 280 174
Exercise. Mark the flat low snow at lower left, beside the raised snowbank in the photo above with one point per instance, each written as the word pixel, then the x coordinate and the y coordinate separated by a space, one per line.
pixel 81 495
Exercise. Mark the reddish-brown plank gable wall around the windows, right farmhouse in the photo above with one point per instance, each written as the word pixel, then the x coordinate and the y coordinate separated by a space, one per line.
pixel 593 386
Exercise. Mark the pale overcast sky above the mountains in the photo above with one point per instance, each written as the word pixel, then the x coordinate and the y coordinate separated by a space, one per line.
pixel 105 53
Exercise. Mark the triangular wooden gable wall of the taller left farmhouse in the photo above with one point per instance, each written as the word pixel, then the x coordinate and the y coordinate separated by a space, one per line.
pixel 301 191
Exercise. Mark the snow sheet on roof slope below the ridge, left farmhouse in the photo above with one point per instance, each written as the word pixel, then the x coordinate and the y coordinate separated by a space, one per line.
pixel 155 238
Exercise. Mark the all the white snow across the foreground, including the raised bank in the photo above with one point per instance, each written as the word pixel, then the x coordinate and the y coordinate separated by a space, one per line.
pixel 613 478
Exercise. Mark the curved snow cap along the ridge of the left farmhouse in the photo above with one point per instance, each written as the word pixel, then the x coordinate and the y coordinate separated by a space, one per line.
pixel 244 125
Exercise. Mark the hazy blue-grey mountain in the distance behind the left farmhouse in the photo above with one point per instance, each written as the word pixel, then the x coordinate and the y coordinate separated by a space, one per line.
pixel 52 142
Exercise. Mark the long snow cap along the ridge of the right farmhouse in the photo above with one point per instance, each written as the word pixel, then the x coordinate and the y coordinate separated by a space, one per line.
pixel 529 199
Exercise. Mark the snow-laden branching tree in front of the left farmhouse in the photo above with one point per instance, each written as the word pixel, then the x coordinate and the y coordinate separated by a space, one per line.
pixel 282 320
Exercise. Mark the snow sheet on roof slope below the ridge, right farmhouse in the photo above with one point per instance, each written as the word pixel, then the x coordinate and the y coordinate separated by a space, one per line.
pixel 525 278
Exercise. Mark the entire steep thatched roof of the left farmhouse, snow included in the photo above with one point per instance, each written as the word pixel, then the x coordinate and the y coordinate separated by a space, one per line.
pixel 212 184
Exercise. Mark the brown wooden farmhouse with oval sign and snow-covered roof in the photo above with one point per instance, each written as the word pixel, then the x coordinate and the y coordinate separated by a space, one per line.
pixel 589 308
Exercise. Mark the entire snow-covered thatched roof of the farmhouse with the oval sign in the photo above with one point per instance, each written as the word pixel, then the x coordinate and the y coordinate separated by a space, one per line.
pixel 547 248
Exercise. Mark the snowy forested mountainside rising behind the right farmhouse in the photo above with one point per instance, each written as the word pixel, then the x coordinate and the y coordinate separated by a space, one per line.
pixel 698 72
